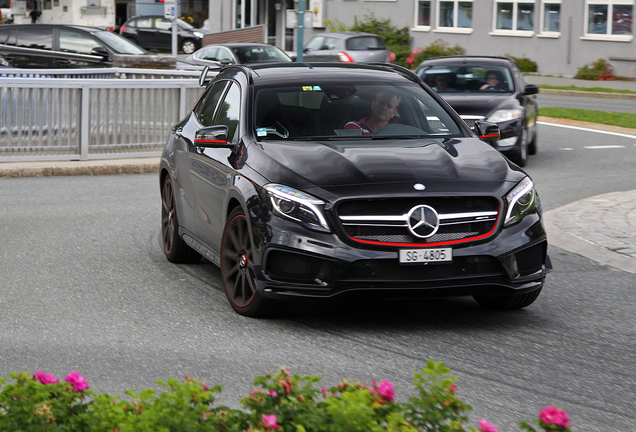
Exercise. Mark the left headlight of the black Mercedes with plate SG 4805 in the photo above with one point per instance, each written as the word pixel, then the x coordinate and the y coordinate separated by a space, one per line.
pixel 298 206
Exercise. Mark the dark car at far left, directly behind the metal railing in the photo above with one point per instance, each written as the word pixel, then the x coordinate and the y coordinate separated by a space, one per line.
pixel 37 46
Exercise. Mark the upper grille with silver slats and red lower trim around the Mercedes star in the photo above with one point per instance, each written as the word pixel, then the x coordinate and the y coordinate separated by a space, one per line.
pixel 385 221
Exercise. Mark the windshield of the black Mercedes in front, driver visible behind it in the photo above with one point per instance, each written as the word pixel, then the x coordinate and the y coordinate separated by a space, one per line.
pixel 349 111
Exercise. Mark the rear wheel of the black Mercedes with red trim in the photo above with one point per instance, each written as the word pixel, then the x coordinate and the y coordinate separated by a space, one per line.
pixel 175 249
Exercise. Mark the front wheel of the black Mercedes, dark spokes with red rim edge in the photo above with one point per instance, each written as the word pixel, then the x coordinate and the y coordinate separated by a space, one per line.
pixel 237 269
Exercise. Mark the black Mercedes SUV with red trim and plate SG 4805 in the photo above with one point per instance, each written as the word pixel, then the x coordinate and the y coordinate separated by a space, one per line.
pixel 311 181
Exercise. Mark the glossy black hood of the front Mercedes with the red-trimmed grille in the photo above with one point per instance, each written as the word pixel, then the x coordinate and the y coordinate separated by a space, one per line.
pixel 329 164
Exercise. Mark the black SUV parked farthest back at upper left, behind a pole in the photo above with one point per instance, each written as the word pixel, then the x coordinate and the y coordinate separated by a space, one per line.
pixel 155 32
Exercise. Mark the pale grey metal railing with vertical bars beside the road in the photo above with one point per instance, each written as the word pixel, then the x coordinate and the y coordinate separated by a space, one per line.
pixel 80 118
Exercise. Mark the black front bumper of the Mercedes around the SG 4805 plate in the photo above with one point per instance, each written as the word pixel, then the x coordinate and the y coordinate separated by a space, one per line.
pixel 296 265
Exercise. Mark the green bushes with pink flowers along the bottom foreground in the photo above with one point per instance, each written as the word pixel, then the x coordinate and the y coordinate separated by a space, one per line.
pixel 280 402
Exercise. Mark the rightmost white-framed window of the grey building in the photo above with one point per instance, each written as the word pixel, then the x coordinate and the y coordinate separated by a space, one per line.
pixel 609 18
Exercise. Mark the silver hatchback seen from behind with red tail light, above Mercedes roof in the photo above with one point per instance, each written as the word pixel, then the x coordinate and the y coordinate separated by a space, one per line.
pixel 348 47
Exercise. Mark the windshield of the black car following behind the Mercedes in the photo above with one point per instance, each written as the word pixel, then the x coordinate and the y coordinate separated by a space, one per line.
pixel 475 79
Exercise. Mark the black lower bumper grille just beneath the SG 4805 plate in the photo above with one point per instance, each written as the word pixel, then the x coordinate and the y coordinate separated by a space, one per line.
pixel 391 270
